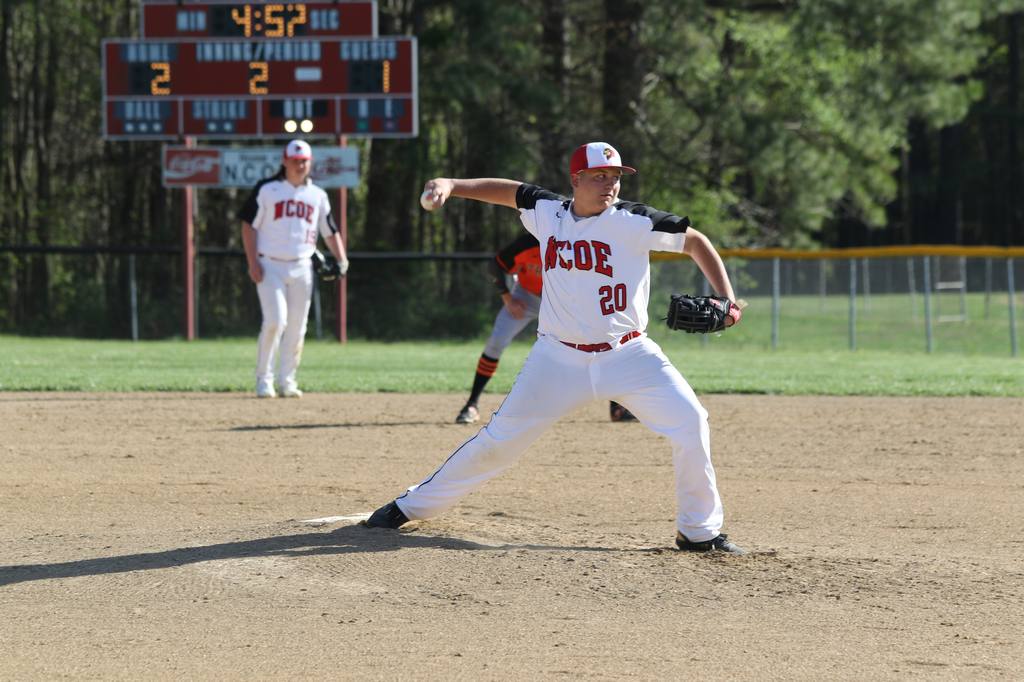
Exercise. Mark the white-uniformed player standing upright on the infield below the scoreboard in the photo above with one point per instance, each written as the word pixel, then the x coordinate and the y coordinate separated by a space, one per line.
pixel 280 225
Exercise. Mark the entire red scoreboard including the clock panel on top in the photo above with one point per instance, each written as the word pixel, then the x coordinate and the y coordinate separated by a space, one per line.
pixel 233 69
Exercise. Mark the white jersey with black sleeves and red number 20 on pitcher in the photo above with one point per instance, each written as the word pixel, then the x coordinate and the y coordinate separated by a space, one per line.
pixel 596 270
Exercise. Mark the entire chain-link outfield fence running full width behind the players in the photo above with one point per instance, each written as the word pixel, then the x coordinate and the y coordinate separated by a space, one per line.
pixel 932 300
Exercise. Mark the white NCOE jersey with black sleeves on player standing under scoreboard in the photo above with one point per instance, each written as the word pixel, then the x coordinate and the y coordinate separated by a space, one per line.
pixel 287 219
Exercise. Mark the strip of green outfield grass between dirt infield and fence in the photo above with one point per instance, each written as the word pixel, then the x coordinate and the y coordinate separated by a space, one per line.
pixel 738 364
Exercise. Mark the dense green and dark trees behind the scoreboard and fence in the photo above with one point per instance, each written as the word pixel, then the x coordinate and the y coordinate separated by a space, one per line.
pixel 769 122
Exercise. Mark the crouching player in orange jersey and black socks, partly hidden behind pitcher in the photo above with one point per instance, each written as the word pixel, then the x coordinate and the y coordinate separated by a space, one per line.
pixel 521 306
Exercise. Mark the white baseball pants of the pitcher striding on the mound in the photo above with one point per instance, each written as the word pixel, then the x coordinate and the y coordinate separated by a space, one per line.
pixel 557 380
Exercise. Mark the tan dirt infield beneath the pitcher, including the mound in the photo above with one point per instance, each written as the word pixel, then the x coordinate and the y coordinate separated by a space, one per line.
pixel 165 536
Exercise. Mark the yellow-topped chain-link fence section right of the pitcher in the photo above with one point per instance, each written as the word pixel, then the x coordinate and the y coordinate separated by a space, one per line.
pixel 933 303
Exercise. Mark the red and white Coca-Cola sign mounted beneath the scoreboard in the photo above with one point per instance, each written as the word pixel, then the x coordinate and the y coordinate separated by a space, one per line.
pixel 244 167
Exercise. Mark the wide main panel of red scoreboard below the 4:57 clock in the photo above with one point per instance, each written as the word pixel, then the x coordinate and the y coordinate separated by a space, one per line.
pixel 161 90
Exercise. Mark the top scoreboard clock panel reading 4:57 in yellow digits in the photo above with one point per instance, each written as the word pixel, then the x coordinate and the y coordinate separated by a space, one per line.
pixel 259 20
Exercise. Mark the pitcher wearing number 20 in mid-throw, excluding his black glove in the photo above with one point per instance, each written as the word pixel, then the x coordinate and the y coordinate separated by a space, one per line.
pixel 591 342
